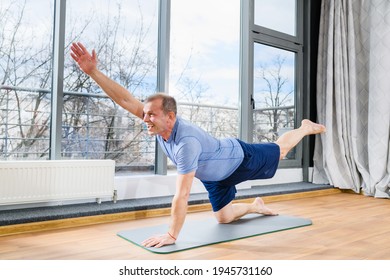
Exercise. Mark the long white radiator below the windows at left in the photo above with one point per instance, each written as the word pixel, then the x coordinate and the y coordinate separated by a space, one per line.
pixel 55 180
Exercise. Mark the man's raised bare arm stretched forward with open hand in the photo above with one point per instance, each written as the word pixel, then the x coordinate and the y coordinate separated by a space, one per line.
pixel 121 96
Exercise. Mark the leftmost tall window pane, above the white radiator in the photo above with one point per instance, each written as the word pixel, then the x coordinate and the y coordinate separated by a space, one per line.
pixel 25 78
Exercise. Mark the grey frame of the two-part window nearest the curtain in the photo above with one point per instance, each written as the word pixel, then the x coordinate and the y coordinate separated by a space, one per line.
pixel 253 34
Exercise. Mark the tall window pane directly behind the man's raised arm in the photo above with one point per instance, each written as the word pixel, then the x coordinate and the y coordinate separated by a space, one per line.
pixel 124 35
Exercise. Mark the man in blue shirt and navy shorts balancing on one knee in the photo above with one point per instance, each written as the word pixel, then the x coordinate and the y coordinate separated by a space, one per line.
pixel 219 164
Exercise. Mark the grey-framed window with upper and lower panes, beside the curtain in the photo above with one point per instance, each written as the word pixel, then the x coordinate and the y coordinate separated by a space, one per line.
pixel 272 71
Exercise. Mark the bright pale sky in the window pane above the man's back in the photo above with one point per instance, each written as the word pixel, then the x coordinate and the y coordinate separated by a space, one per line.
pixel 210 30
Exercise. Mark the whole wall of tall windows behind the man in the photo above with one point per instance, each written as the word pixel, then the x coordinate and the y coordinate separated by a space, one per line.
pixel 257 104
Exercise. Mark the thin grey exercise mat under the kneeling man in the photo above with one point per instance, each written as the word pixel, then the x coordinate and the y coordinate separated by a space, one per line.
pixel 198 233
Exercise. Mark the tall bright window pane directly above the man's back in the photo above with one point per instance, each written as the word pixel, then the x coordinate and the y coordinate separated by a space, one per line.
pixel 204 63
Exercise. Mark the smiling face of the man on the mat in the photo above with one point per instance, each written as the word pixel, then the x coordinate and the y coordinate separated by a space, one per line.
pixel 157 122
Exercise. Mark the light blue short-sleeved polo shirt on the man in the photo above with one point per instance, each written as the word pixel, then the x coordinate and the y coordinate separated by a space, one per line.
pixel 192 149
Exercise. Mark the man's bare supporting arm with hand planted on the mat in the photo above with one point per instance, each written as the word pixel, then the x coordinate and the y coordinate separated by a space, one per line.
pixel 178 212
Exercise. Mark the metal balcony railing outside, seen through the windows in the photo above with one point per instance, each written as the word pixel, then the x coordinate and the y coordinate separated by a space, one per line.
pixel 93 127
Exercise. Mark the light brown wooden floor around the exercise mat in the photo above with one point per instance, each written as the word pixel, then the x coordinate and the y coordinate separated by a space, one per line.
pixel 345 226
